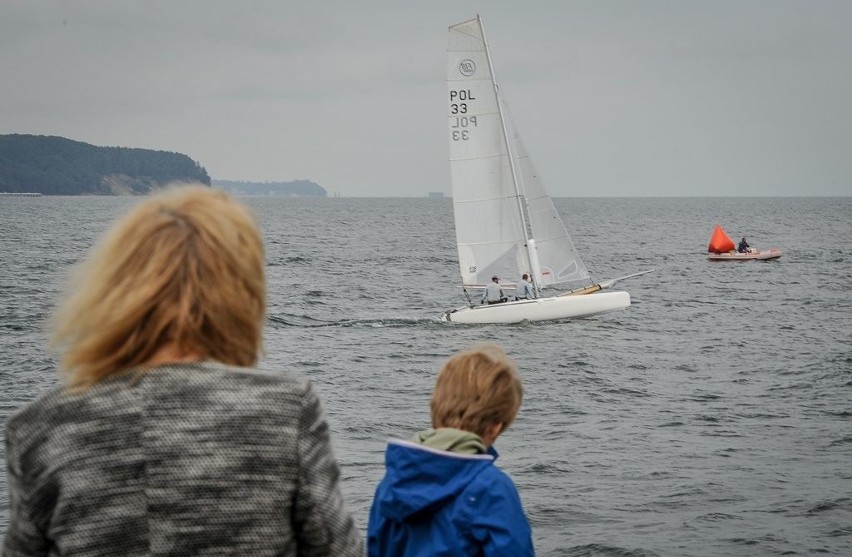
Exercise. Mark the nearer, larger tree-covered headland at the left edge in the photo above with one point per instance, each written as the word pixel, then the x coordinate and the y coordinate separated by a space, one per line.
pixel 58 166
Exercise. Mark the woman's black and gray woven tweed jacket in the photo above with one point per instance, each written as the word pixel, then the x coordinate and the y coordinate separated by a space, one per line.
pixel 190 459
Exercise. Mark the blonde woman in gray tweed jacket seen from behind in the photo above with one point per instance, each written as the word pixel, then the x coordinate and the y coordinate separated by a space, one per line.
pixel 161 440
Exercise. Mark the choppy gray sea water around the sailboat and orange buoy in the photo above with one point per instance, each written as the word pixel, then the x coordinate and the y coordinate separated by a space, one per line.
pixel 713 417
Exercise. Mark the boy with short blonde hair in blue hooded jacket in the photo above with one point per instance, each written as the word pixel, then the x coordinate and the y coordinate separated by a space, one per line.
pixel 442 494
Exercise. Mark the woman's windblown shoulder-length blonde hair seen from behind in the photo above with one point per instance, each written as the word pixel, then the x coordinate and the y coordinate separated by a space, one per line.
pixel 184 267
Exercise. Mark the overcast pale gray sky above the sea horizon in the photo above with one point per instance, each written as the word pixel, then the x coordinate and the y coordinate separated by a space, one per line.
pixel 612 98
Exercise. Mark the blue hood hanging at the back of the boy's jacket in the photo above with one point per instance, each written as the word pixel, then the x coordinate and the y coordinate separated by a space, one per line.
pixel 420 478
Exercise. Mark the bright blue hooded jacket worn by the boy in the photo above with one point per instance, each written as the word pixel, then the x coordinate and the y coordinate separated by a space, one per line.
pixel 434 503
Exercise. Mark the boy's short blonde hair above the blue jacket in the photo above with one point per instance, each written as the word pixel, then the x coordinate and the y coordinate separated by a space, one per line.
pixel 477 389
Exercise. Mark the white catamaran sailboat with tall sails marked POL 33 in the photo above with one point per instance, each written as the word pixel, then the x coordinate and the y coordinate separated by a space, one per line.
pixel 506 224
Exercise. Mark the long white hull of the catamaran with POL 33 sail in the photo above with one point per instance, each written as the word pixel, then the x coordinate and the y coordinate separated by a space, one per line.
pixel 540 309
